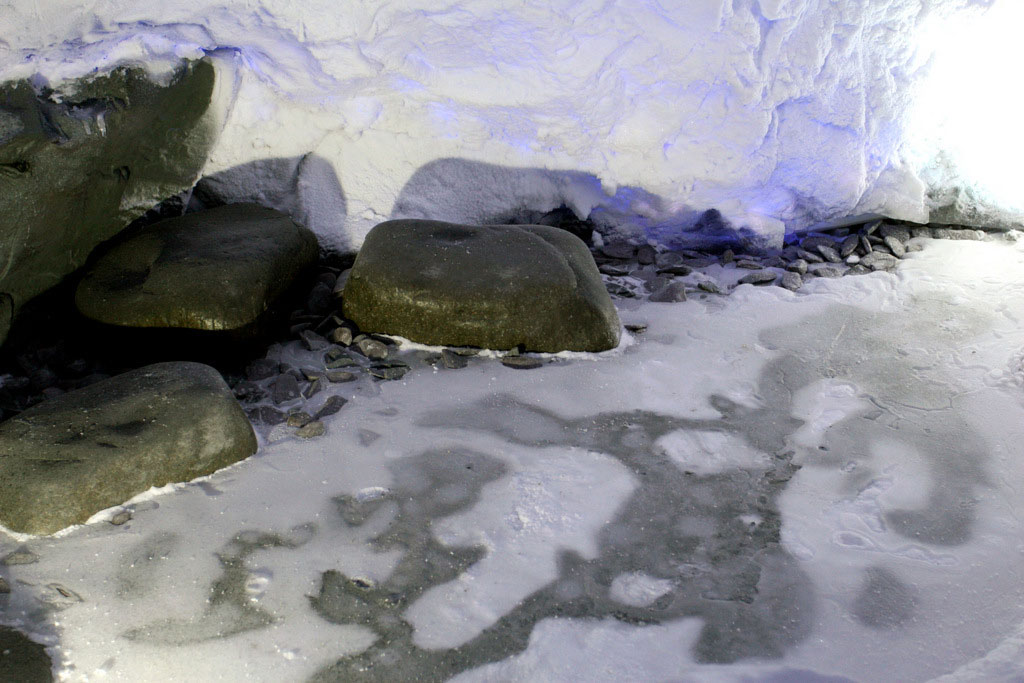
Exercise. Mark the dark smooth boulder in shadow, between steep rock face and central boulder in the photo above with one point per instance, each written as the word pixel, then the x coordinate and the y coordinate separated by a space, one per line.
pixel 218 270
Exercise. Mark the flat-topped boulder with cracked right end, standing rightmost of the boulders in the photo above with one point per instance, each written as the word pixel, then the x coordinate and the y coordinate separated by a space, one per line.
pixel 491 286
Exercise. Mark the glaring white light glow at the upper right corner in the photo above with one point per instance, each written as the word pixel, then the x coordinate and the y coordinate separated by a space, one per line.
pixel 966 115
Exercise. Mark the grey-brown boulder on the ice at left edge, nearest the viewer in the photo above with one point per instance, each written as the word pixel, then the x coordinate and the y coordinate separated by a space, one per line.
pixel 70 457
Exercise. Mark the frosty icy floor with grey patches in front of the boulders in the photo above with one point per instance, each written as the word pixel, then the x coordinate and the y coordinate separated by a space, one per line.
pixel 761 487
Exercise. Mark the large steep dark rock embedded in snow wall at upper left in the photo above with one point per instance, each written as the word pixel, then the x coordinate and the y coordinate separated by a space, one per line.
pixel 80 163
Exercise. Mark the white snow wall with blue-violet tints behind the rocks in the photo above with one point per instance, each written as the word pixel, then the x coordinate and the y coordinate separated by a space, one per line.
pixel 781 114
